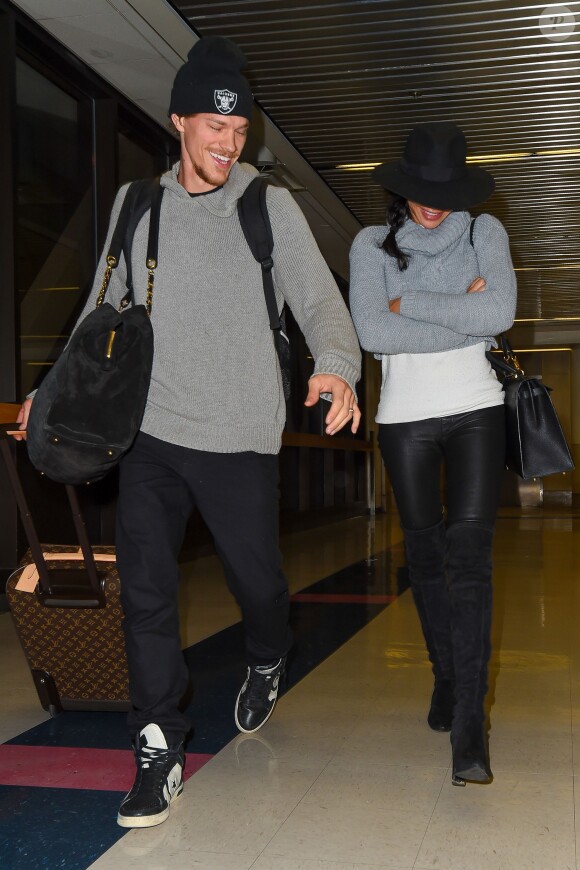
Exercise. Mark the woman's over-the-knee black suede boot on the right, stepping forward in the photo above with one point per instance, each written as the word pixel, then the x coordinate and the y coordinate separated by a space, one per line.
pixel 469 547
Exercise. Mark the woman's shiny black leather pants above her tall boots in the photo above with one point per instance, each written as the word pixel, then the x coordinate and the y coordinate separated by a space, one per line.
pixel 472 448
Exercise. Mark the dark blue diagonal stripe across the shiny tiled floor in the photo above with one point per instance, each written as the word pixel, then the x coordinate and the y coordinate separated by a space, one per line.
pixel 53 828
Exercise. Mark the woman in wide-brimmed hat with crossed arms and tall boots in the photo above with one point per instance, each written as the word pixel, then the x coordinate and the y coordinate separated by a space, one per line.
pixel 428 294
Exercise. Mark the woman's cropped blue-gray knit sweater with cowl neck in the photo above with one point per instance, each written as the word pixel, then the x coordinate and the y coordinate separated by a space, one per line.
pixel 436 312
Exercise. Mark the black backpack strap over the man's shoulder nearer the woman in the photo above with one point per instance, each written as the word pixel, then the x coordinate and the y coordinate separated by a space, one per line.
pixel 255 222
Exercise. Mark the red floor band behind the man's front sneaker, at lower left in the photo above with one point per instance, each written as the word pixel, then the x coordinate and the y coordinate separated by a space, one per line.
pixel 65 767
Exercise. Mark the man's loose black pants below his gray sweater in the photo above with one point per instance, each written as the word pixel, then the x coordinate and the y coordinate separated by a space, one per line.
pixel 237 495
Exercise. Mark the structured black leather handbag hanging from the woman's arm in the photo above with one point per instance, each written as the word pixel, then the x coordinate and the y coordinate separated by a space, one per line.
pixel 535 442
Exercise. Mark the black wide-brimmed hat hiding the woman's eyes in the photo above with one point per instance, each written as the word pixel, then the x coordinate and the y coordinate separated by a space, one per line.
pixel 433 171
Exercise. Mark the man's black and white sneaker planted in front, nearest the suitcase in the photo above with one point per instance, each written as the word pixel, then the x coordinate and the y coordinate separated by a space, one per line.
pixel 158 781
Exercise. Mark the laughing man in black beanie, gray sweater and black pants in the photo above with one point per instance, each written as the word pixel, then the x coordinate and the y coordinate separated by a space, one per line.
pixel 215 412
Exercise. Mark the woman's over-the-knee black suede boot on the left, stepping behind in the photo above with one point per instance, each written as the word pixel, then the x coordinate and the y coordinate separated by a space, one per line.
pixel 425 557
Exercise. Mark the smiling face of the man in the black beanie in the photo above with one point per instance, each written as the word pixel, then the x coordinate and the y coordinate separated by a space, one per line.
pixel 210 145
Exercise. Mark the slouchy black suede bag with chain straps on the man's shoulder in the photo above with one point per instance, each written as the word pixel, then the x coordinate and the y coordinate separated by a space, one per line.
pixel 88 409
